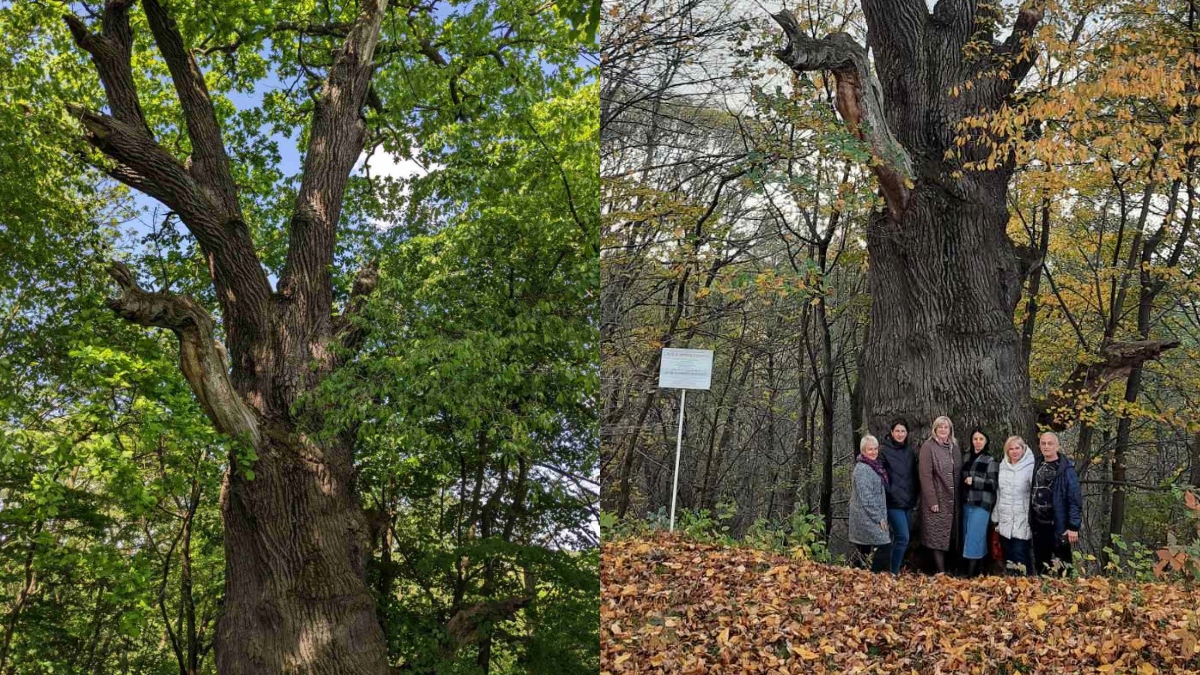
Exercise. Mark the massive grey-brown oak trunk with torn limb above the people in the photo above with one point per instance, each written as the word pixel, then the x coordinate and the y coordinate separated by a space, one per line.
pixel 945 278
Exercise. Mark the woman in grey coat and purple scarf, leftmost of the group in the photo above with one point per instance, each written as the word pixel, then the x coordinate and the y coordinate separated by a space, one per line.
pixel 869 507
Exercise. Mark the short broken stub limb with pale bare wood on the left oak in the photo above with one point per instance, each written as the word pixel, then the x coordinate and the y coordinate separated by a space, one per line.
pixel 201 356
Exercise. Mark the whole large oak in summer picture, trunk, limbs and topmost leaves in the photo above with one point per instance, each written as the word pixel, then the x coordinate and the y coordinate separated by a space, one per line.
pixel 298 541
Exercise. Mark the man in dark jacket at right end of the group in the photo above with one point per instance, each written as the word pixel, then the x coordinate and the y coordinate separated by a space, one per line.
pixel 1055 506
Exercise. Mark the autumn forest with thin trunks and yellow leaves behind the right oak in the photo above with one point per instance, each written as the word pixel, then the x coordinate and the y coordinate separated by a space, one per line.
pixel 735 210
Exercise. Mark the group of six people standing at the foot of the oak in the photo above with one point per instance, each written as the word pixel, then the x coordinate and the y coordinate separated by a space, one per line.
pixel 1033 499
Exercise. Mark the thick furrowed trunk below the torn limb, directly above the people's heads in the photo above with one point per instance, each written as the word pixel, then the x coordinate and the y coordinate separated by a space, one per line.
pixel 944 285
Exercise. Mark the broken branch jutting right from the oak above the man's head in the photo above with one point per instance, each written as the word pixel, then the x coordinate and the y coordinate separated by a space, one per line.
pixel 1087 383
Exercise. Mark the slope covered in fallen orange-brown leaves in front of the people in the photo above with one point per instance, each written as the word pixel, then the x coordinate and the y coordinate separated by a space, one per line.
pixel 679 607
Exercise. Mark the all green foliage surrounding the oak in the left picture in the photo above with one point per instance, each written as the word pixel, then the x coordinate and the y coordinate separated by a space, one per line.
pixel 471 398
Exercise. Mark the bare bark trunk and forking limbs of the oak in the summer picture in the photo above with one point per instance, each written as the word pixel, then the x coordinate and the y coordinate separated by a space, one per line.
pixel 296 536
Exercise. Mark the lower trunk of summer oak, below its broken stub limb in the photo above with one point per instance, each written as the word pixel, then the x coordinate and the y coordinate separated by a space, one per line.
pixel 297 599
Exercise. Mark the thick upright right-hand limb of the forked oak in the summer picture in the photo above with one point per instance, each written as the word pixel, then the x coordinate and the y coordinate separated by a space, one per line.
pixel 338 138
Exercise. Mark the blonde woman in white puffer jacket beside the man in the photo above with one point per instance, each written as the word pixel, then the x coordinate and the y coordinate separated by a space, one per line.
pixel 1012 512
